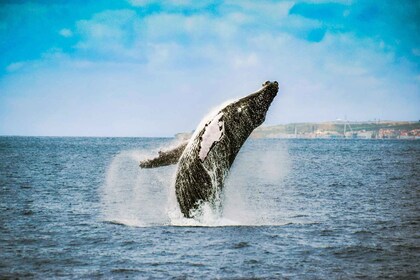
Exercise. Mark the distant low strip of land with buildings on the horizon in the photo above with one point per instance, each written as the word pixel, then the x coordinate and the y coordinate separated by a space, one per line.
pixel 338 129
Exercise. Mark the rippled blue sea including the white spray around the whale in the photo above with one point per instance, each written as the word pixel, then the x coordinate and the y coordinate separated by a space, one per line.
pixel 291 209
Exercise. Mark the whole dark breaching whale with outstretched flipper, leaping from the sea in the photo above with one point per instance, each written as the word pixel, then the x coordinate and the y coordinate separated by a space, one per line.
pixel 204 162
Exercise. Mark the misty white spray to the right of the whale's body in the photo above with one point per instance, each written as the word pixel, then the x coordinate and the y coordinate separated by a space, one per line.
pixel 256 173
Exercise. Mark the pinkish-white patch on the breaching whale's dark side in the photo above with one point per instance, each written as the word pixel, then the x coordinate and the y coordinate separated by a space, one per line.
pixel 213 133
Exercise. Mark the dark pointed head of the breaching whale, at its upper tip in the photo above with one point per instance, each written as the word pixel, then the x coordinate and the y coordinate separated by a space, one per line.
pixel 256 105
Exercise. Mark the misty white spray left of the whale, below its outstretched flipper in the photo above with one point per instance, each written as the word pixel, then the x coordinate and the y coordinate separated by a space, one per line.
pixel 133 196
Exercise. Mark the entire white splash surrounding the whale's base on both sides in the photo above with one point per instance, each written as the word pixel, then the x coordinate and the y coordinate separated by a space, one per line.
pixel 146 197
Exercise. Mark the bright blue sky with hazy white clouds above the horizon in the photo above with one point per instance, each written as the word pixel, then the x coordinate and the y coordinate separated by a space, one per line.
pixel 156 68
